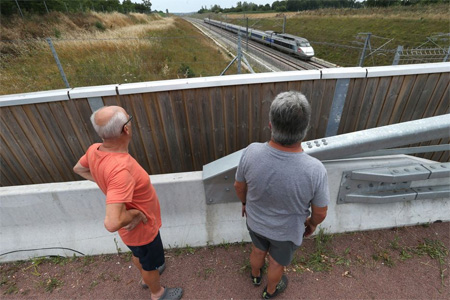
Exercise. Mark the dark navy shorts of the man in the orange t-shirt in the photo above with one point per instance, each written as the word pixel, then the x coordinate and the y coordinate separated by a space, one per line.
pixel 151 256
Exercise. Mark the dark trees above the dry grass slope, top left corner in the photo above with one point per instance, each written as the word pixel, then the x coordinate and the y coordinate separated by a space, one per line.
pixel 11 7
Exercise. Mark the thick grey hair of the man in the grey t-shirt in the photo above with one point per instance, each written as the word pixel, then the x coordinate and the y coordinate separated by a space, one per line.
pixel 289 115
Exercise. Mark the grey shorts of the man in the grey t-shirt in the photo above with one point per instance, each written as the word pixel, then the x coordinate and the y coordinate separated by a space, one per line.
pixel 281 251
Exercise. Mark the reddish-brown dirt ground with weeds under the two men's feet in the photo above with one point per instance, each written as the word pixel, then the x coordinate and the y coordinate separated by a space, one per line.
pixel 400 263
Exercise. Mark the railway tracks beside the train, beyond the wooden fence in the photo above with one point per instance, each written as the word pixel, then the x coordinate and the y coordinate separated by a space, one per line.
pixel 276 60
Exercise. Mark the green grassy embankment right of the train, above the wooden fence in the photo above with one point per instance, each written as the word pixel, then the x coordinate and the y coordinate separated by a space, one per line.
pixel 334 33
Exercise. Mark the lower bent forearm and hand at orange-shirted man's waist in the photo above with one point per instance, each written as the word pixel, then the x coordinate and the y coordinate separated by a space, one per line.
pixel 117 216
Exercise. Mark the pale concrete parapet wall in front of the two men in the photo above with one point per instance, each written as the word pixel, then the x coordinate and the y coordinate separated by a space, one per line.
pixel 67 218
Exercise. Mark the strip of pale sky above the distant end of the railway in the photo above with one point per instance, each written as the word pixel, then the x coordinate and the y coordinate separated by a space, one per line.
pixel 184 6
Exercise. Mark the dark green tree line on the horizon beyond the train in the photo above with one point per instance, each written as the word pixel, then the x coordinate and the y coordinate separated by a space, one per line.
pixel 299 5
